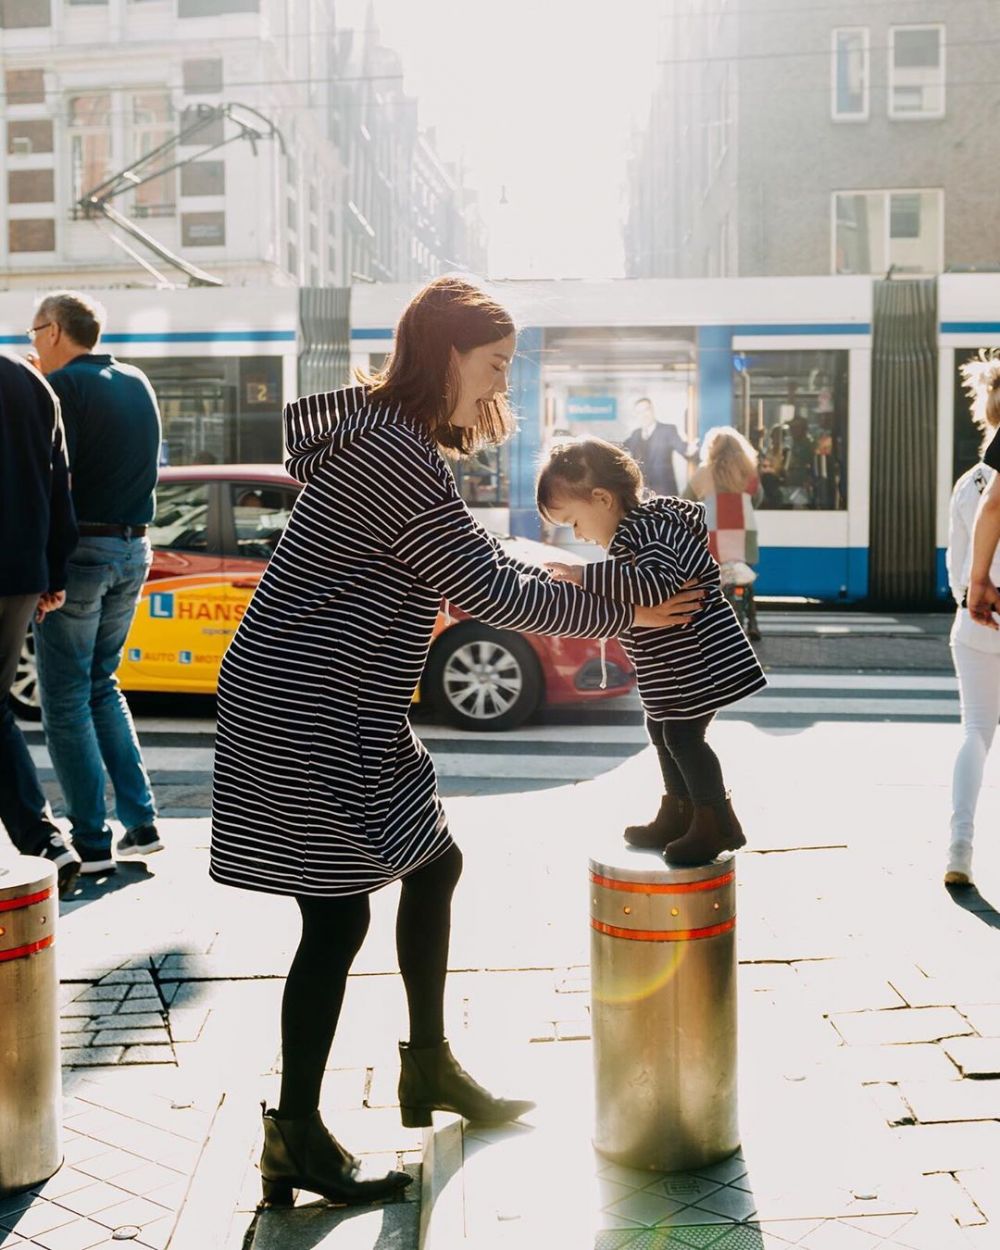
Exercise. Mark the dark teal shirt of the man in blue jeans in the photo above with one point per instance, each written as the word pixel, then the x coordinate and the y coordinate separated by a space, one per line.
pixel 113 437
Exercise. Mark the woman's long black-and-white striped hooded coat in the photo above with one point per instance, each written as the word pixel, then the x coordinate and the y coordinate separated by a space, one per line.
pixel 322 787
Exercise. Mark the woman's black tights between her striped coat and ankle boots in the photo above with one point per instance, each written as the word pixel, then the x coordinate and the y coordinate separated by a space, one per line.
pixel 333 932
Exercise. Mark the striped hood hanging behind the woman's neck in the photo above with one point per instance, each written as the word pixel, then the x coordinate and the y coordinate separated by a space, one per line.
pixel 319 427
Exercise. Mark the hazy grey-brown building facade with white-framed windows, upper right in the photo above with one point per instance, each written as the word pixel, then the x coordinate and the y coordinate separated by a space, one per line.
pixel 807 138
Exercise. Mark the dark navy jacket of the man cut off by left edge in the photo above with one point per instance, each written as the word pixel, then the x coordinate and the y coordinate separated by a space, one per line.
pixel 38 531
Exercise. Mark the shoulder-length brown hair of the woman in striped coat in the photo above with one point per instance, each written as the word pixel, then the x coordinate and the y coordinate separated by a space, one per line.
pixel 419 376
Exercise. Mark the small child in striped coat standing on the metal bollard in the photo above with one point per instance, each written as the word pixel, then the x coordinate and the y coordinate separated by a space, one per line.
pixel 684 674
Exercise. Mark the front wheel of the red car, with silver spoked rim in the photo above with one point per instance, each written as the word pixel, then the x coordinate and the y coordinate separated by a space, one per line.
pixel 482 678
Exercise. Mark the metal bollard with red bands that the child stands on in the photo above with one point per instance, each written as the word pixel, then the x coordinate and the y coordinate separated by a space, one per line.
pixel 663 959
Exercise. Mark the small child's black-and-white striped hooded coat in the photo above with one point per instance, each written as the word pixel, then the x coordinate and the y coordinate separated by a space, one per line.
pixel 687 671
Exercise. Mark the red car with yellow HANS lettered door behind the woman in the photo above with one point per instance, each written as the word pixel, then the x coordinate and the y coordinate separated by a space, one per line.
pixel 214 532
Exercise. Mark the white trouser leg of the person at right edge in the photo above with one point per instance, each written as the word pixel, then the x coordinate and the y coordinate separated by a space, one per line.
pixel 979 688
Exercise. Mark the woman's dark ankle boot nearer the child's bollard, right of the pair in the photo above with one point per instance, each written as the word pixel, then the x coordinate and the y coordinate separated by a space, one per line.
pixel 432 1081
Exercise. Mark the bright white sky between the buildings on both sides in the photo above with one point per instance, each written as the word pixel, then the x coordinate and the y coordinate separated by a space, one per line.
pixel 539 99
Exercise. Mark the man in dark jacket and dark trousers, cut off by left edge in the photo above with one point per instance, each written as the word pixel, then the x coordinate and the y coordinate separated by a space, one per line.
pixel 38 533
